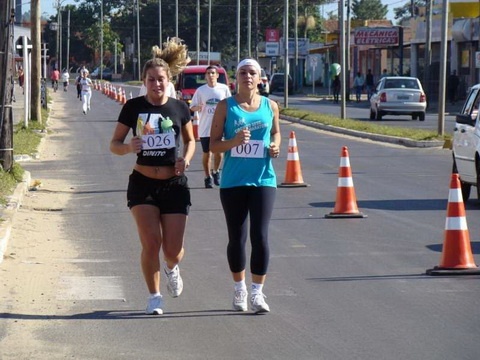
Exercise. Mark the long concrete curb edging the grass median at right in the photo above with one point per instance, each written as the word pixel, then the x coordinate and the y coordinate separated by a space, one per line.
pixel 376 137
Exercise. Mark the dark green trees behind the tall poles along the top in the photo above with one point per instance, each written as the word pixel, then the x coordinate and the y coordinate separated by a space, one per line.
pixel 120 20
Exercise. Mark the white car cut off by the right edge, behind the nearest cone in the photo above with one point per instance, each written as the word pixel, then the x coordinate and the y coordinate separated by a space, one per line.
pixel 466 144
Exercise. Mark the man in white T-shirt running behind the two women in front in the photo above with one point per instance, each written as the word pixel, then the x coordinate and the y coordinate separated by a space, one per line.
pixel 205 101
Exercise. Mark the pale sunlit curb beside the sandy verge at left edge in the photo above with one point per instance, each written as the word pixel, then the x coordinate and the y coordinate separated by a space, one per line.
pixel 8 213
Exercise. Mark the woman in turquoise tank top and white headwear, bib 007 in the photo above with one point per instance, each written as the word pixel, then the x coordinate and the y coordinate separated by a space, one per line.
pixel 246 128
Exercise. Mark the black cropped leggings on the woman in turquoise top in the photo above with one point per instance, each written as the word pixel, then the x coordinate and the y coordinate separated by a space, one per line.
pixel 237 204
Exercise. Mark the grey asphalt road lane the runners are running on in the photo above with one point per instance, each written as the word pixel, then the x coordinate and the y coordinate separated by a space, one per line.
pixel 337 288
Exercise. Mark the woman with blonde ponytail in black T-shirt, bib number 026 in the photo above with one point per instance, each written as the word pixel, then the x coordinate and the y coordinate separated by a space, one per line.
pixel 158 195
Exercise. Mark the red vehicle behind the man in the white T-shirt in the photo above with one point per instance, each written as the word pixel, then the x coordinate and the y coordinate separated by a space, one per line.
pixel 192 77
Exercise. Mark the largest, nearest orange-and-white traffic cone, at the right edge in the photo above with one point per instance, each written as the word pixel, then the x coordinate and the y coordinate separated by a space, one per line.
pixel 457 257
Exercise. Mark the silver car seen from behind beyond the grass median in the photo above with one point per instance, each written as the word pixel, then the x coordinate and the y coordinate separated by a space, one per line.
pixel 398 95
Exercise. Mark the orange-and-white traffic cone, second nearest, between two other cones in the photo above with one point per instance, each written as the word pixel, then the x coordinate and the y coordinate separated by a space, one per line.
pixel 346 201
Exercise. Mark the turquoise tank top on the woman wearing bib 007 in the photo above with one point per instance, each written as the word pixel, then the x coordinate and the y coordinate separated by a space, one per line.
pixel 249 164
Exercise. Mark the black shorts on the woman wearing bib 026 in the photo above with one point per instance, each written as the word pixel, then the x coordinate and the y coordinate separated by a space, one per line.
pixel 171 196
